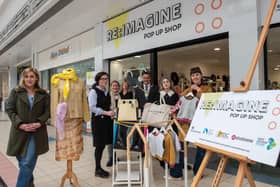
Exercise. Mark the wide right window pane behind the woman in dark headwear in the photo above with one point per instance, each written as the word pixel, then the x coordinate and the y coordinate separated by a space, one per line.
pixel 212 57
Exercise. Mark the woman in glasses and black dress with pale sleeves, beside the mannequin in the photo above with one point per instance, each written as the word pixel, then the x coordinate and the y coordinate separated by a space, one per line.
pixel 100 106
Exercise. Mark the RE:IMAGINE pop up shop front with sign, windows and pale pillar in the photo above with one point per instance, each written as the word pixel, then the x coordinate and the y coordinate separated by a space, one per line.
pixel 220 36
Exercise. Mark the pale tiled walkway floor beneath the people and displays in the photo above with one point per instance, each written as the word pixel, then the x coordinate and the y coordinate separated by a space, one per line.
pixel 48 172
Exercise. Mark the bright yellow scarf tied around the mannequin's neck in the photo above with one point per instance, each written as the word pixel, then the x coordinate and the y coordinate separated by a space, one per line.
pixel 66 75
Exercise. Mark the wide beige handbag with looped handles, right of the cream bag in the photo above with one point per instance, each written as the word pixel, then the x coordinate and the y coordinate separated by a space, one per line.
pixel 157 115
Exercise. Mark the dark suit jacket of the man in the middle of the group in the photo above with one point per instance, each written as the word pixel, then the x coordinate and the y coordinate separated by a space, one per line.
pixel 140 95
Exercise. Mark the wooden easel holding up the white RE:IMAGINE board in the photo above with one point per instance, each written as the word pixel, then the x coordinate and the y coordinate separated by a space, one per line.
pixel 243 161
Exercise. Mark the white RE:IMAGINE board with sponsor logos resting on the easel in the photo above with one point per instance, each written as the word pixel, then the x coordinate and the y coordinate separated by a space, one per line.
pixel 247 124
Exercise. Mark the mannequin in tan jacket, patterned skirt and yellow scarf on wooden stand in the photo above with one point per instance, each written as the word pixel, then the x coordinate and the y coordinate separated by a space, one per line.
pixel 69 109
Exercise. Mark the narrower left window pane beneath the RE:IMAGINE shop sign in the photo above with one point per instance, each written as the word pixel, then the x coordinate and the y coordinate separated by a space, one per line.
pixel 130 68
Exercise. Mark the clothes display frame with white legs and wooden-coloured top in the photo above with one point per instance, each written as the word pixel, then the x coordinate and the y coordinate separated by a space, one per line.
pixel 137 127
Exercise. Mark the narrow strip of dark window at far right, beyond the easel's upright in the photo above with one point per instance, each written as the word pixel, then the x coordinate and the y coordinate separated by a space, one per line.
pixel 273 55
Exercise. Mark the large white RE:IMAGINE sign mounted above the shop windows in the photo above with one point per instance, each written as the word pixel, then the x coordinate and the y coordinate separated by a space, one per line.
pixel 164 22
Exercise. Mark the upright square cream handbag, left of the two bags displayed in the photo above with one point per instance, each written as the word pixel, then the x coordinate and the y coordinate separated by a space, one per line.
pixel 127 109
